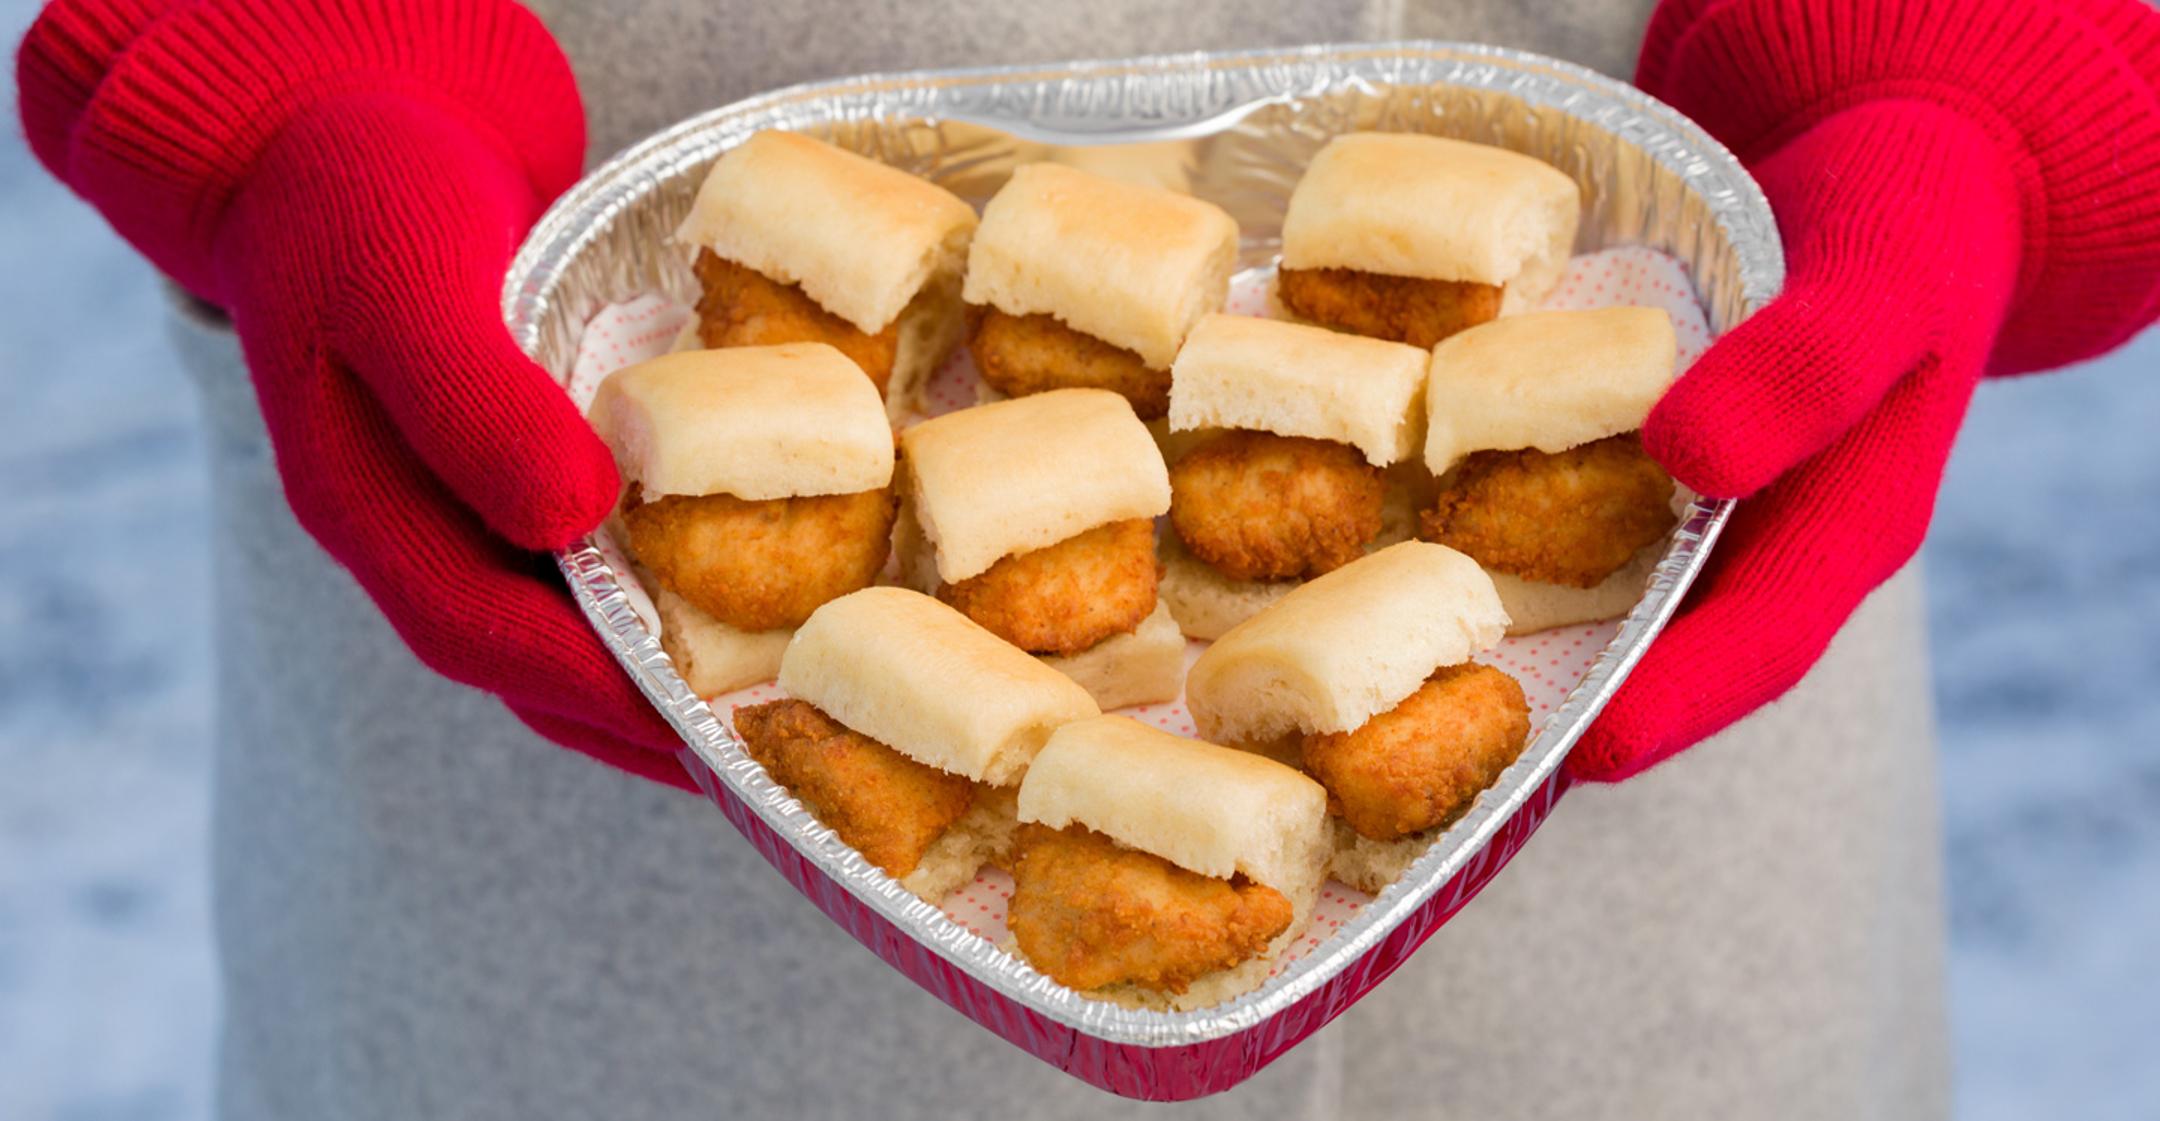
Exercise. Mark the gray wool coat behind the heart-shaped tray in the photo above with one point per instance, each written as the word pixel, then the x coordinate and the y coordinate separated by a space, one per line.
pixel 427 913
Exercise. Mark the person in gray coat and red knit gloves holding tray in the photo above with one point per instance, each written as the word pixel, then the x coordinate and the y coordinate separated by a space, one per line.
pixel 427 908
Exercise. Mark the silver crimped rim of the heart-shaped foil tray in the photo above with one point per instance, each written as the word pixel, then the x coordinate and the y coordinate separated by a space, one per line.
pixel 1211 92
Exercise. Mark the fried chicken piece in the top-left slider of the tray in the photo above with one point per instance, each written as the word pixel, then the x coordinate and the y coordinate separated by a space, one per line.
pixel 746 308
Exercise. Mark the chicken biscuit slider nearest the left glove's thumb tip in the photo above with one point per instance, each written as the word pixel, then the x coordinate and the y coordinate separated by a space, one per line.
pixel 757 487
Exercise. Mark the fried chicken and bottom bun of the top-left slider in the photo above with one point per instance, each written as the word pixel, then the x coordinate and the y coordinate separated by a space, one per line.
pixel 744 308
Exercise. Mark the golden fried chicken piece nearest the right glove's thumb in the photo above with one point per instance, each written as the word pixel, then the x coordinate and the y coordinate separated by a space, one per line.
pixel 1571 517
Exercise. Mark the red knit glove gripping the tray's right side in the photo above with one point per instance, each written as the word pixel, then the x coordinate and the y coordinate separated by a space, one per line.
pixel 1965 187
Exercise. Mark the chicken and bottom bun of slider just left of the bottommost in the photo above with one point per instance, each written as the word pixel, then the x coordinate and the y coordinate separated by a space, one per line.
pixel 928 828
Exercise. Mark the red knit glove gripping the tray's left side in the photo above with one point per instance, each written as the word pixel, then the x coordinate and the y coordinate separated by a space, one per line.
pixel 349 180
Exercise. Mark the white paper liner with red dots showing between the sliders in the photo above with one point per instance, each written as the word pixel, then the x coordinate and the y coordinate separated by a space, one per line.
pixel 1548 664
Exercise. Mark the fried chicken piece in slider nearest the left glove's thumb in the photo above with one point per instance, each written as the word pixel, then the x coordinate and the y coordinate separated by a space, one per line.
pixel 761 565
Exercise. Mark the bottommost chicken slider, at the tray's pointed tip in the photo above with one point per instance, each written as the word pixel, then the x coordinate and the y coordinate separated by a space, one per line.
pixel 1161 872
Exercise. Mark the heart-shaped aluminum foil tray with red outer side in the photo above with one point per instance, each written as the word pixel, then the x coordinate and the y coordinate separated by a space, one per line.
pixel 1237 131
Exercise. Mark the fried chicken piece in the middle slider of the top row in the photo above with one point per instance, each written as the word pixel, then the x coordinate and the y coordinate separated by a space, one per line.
pixel 1023 355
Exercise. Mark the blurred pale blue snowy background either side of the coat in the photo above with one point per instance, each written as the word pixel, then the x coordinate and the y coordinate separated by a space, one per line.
pixel 2044 604
